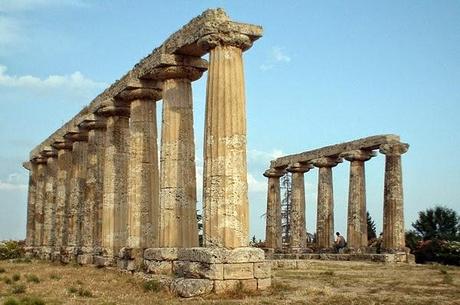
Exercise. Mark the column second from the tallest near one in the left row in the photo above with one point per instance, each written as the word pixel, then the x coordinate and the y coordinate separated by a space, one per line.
pixel 178 222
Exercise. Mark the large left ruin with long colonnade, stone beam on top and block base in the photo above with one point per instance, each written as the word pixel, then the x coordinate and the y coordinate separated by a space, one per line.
pixel 100 194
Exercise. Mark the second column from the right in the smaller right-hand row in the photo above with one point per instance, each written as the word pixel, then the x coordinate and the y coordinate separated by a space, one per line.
pixel 357 220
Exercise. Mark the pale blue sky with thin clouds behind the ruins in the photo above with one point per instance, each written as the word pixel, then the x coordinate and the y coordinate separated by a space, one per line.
pixel 324 72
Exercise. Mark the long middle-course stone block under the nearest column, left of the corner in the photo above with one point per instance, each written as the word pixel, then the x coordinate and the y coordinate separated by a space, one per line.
pixel 198 270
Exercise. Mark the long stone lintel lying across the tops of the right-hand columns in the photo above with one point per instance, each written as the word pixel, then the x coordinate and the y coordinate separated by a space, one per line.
pixel 369 143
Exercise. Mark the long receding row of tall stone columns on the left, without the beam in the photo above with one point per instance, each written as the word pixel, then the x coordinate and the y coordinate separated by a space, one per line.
pixel 101 187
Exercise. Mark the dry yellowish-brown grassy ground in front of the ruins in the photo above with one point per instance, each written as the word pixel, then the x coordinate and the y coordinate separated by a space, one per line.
pixel 323 283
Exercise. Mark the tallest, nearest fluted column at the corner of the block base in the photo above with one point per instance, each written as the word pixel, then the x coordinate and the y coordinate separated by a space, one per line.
pixel 225 186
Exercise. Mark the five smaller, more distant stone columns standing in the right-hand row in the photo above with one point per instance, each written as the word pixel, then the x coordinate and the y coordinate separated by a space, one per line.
pixel 393 218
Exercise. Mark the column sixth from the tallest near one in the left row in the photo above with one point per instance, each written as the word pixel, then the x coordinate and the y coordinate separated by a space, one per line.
pixel 77 187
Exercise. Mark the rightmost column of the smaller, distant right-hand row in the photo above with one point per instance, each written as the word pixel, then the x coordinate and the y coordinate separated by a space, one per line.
pixel 393 199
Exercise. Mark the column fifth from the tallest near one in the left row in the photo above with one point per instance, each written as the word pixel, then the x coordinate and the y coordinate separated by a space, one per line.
pixel 92 210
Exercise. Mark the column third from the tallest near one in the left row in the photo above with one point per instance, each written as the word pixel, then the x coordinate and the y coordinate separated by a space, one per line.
pixel 143 178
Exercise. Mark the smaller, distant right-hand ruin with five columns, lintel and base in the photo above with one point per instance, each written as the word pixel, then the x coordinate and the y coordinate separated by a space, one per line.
pixel 325 159
